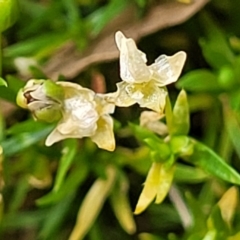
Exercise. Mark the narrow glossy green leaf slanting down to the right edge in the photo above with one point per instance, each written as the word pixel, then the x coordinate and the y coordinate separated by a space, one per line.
pixel 208 160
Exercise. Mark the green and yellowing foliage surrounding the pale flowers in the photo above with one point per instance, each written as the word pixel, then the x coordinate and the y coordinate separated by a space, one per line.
pixel 187 157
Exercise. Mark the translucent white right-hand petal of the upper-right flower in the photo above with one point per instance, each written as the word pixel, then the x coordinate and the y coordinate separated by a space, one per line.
pixel 167 69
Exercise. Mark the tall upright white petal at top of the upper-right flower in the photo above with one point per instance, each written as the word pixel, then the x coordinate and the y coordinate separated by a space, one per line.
pixel 133 68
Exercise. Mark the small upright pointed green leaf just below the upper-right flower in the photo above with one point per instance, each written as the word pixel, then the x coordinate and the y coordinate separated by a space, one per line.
pixel 180 120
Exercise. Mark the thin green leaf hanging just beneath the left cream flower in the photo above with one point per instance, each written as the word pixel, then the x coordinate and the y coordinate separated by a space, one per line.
pixel 69 152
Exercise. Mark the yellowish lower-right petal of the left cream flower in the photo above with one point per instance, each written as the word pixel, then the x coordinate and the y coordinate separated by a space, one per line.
pixel 104 137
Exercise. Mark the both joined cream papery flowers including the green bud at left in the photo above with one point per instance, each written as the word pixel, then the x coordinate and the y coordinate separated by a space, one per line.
pixel 83 113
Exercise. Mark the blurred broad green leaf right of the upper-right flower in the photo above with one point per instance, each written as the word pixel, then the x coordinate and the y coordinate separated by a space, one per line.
pixel 199 81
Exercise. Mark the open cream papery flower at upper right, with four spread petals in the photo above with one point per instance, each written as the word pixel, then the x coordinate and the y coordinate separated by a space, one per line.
pixel 143 84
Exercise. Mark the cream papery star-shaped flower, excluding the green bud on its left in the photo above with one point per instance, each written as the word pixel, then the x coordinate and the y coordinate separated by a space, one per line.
pixel 85 114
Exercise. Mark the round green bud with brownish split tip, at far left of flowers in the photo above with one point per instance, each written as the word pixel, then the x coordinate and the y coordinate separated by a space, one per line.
pixel 43 98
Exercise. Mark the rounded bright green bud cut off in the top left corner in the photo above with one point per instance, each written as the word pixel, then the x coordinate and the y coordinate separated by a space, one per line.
pixel 9 11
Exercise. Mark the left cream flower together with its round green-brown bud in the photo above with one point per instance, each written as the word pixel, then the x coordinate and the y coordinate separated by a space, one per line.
pixel 79 111
